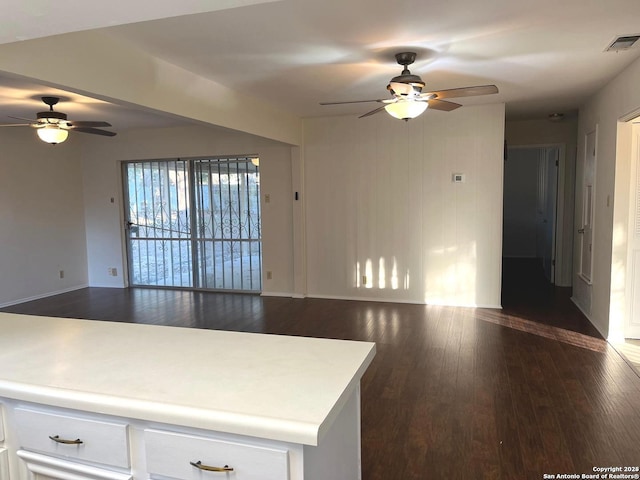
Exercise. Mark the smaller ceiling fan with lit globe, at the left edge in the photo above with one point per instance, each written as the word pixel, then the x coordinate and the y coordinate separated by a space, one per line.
pixel 53 127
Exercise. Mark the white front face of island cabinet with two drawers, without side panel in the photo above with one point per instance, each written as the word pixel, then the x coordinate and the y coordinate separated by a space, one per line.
pixel 61 444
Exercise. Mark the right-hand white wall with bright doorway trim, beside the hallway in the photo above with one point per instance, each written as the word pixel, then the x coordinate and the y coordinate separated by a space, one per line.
pixel 602 300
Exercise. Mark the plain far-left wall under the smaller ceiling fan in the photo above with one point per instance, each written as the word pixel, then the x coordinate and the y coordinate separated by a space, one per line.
pixel 41 217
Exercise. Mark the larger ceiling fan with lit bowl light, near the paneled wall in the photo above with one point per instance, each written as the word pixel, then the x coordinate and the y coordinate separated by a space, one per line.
pixel 408 100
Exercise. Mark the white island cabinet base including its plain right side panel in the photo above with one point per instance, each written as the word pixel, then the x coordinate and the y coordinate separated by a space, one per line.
pixel 44 442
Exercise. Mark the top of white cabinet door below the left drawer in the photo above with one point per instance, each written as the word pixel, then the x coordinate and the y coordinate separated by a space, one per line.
pixel 43 467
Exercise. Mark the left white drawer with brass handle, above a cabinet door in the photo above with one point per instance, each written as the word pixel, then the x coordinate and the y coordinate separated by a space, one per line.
pixel 89 440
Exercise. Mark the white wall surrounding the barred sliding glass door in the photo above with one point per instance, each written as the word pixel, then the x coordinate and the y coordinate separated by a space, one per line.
pixel 102 181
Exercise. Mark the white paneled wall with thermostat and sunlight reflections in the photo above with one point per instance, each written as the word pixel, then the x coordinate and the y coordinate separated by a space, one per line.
pixel 380 202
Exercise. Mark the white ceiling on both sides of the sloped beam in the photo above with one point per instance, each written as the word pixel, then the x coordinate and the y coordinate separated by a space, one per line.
pixel 544 56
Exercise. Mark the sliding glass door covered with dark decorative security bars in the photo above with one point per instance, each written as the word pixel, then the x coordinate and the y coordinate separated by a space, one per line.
pixel 194 223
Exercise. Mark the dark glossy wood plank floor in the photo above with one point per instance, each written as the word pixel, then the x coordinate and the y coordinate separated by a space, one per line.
pixel 453 393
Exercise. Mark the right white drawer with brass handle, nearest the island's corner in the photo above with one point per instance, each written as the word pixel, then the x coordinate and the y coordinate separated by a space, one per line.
pixel 172 454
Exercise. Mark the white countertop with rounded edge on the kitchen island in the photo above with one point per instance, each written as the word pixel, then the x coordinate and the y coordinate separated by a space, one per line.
pixel 269 386
